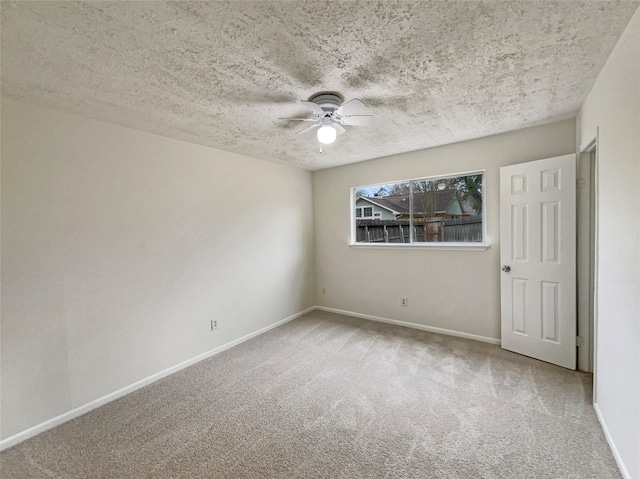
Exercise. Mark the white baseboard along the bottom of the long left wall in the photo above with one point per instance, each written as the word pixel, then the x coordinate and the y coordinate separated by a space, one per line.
pixel 79 411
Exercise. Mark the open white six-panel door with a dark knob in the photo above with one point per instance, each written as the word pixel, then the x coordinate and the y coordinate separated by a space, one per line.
pixel 538 254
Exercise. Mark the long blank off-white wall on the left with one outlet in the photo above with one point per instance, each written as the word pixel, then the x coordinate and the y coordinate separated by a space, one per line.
pixel 119 246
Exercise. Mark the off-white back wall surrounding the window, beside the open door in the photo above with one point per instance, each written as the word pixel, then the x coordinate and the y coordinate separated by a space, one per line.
pixel 454 290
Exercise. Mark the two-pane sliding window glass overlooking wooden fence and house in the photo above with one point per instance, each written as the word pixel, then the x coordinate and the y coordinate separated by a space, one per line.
pixel 446 209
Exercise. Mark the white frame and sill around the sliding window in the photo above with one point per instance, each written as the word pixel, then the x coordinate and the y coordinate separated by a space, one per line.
pixel 469 246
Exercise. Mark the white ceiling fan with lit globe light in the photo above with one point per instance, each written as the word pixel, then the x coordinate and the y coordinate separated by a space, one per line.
pixel 330 113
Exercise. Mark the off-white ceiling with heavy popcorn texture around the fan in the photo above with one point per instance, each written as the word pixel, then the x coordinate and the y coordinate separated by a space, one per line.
pixel 222 73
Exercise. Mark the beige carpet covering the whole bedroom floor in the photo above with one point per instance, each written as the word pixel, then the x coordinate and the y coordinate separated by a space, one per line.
pixel 327 396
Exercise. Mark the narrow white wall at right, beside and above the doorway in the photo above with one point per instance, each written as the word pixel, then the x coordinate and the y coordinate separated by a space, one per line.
pixel 613 110
